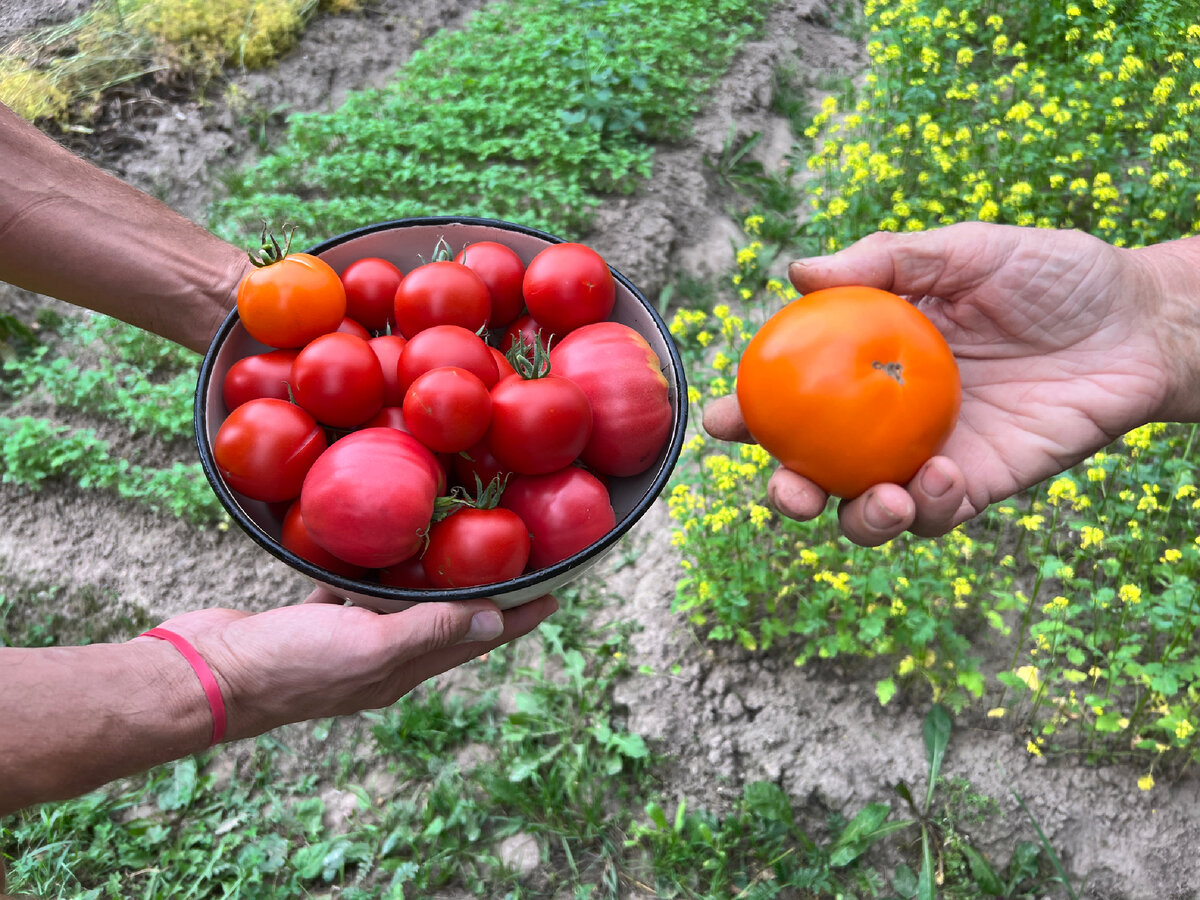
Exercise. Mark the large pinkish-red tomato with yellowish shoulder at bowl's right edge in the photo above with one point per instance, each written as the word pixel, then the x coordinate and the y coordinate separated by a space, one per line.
pixel 623 380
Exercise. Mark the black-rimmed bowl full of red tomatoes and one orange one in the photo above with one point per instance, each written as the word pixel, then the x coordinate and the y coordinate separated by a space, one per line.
pixel 440 409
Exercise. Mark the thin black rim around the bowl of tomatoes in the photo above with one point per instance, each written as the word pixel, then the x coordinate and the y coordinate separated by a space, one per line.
pixel 386 592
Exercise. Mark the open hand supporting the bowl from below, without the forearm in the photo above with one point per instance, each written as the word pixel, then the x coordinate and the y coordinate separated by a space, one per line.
pixel 322 659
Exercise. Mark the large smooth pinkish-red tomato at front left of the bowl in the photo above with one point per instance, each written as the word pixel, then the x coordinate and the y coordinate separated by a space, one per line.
pixel 369 500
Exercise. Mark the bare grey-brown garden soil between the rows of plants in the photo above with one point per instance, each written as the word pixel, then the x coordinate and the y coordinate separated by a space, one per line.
pixel 724 717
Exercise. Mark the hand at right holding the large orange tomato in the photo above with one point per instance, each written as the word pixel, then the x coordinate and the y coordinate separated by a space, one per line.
pixel 1057 344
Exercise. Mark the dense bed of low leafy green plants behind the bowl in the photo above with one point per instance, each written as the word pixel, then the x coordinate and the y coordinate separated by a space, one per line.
pixel 531 113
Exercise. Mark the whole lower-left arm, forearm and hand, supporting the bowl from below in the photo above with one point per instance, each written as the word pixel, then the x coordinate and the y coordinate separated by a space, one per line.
pixel 76 718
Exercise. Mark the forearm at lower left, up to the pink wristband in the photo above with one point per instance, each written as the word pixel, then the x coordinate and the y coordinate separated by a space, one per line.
pixel 115 710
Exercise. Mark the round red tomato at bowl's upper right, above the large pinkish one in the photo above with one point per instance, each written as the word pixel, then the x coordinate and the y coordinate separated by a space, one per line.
pixel 567 286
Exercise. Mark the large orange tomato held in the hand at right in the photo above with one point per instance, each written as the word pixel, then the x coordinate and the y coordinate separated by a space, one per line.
pixel 850 387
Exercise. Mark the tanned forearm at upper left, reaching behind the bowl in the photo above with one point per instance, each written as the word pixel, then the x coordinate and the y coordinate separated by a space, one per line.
pixel 74 232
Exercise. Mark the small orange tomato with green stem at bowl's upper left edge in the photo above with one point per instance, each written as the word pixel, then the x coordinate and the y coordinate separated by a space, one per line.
pixel 290 298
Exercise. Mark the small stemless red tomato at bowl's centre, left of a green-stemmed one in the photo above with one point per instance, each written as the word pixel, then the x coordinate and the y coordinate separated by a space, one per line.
pixel 448 409
